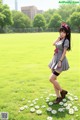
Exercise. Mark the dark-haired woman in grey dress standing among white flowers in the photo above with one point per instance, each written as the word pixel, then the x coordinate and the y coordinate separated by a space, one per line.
pixel 59 61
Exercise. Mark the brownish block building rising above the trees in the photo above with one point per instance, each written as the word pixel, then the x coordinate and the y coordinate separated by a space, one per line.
pixel 31 11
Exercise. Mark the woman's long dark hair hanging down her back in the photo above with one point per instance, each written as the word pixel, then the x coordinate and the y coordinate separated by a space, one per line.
pixel 67 30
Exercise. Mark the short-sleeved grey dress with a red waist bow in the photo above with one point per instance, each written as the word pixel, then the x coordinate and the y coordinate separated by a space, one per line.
pixel 53 65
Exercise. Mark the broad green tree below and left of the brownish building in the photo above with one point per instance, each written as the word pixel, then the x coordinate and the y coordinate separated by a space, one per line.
pixel 20 20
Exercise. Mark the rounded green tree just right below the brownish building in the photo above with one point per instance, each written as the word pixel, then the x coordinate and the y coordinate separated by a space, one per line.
pixel 39 21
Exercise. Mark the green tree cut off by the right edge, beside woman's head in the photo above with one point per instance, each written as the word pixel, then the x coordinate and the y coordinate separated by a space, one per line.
pixel 75 20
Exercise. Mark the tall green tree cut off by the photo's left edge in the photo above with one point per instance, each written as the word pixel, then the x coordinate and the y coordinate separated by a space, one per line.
pixel 5 17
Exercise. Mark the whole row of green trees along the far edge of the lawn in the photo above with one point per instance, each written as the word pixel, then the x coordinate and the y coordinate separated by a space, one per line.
pixel 50 20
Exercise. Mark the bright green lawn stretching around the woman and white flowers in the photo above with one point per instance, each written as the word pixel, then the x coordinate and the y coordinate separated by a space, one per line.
pixel 24 73
